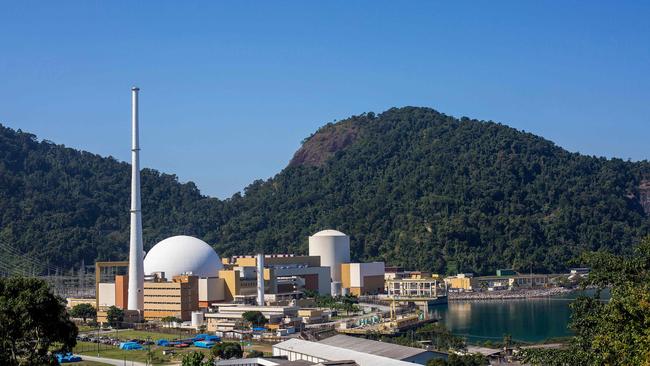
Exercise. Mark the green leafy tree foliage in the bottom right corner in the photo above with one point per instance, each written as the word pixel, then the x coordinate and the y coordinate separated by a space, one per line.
pixel 613 332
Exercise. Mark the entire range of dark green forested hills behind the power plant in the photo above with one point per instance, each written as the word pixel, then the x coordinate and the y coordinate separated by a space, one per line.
pixel 411 186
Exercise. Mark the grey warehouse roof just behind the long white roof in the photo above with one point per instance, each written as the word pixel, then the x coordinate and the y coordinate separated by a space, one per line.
pixel 383 349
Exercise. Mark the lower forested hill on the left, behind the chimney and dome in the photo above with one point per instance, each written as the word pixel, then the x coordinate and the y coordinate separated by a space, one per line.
pixel 62 205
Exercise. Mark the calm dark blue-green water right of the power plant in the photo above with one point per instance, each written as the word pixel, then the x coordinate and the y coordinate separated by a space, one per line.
pixel 526 320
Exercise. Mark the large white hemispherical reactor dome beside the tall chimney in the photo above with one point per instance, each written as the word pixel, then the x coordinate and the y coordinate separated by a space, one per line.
pixel 183 254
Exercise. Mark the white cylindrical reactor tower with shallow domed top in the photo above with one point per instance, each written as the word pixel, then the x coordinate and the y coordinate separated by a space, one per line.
pixel 333 247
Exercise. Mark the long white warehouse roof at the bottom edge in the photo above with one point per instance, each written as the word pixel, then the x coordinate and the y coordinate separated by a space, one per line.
pixel 332 353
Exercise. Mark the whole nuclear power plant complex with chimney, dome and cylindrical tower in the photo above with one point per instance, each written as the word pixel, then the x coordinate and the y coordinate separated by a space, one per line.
pixel 184 278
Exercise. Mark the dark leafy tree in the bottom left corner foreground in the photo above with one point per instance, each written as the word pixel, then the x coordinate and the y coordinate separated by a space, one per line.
pixel 33 321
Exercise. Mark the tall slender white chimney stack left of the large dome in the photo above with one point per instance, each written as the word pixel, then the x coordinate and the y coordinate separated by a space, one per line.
pixel 136 266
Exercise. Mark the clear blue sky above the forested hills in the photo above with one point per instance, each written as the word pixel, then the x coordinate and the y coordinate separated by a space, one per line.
pixel 229 89
